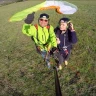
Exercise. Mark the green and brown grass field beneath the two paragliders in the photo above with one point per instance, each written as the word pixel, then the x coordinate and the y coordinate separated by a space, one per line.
pixel 22 70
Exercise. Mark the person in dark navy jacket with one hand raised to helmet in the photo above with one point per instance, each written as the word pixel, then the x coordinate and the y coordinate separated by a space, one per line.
pixel 66 36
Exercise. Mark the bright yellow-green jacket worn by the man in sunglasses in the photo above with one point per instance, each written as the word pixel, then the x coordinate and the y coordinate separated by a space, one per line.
pixel 45 39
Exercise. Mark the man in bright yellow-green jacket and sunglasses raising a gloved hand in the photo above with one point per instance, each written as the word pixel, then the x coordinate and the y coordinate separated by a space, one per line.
pixel 42 34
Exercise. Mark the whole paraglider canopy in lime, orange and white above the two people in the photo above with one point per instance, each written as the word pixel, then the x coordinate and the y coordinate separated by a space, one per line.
pixel 61 7
